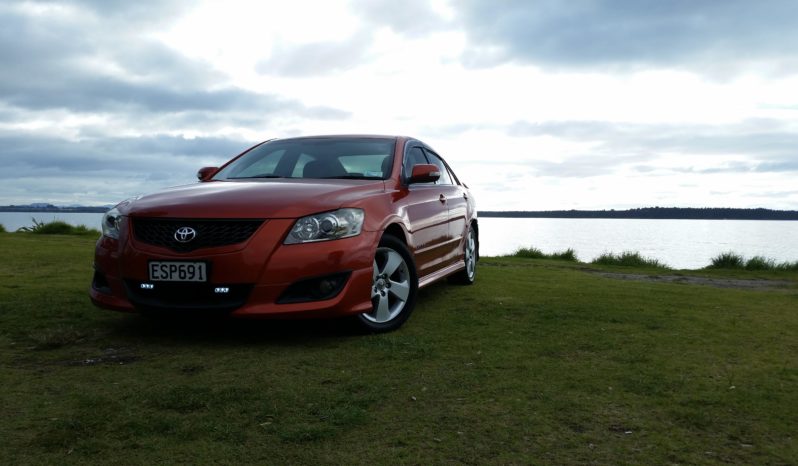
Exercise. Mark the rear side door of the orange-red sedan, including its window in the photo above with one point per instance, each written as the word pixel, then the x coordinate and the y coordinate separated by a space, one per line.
pixel 456 201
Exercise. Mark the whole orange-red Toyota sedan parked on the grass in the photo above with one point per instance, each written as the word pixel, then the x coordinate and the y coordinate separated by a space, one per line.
pixel 312 226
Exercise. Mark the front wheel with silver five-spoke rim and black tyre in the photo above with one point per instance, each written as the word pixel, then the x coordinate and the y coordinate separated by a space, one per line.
pixel 394 287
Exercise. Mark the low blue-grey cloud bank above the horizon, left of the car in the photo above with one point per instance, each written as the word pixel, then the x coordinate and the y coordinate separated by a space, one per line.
pixel 104 170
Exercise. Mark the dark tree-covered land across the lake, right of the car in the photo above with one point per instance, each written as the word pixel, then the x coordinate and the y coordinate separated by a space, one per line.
pixel 689 213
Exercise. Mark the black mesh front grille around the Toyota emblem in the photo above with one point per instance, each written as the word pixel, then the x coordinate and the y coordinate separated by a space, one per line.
pixel 209 233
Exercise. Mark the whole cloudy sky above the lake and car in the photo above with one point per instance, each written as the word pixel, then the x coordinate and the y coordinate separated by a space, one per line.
pixel 537 104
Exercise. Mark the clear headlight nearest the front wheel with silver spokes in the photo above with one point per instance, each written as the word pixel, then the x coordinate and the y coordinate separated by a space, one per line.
pixel 341 223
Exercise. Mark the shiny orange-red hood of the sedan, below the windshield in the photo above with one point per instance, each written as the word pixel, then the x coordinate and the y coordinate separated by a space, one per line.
pixel 290 198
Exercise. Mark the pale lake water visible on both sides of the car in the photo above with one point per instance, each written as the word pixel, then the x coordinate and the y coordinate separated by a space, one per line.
pixel 682 244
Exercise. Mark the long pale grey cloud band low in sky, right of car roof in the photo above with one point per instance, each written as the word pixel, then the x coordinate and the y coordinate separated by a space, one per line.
pixel 751 146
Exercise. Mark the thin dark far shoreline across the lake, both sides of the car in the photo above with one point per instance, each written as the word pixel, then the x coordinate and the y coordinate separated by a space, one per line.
pixel 651 213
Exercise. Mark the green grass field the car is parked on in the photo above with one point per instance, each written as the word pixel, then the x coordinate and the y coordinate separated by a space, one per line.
pixel 540 362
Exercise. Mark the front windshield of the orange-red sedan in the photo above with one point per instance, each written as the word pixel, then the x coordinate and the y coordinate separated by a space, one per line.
pixel 318 158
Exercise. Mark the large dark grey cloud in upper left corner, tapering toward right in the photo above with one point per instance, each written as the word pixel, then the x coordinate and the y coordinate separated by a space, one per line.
pixel 51 62
